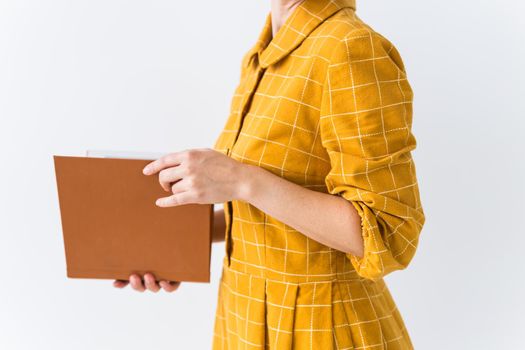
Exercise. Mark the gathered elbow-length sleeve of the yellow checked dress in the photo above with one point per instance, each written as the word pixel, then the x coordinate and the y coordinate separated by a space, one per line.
pixel 365 127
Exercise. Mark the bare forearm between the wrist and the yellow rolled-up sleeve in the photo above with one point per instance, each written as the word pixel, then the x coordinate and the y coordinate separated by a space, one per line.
pixel 328 219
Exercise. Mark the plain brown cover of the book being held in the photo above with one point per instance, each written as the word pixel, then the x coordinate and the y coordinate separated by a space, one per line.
pixel 112 227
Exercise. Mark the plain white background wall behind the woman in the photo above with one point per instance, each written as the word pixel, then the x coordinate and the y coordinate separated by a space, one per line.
pixel 158 76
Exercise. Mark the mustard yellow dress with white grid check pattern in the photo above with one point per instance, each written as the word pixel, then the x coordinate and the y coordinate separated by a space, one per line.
pixel 325 104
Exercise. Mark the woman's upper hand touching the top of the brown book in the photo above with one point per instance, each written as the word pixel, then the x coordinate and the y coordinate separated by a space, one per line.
pixel 202 176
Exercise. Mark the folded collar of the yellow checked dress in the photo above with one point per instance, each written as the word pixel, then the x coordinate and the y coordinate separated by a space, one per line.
pixel 303 20
